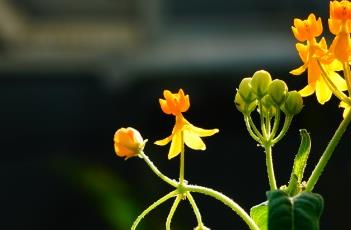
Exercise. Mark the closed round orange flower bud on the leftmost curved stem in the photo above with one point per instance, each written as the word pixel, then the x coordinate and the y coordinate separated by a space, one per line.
pixel 128 142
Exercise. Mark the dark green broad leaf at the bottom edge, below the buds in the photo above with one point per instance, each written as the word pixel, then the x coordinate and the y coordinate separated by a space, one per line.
pixel 301 212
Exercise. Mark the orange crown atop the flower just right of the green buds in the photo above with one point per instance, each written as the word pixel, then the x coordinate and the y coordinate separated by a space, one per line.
pixel 305 30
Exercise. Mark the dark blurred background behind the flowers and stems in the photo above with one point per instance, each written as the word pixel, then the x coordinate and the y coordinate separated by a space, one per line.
pixel 73 72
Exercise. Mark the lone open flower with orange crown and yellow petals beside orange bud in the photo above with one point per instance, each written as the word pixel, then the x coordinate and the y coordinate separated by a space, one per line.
pixel 183 131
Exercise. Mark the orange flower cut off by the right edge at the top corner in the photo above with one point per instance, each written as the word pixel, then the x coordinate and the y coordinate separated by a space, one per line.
pixel 340 25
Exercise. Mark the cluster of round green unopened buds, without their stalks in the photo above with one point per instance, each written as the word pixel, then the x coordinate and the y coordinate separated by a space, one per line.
pixel 272 95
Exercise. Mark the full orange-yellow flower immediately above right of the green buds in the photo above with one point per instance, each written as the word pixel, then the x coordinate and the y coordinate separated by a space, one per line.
pixel 312 52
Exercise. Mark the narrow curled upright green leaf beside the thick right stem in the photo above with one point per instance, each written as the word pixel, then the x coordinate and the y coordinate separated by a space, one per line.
pixel 300 162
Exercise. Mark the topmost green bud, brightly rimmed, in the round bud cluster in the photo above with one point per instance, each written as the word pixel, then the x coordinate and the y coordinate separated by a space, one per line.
pixel 260 83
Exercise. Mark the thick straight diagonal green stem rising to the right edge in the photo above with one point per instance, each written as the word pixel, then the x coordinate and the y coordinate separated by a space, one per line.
pixel 318 170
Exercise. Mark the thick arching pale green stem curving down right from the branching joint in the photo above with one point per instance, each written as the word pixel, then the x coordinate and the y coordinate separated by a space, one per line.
pixel 227 201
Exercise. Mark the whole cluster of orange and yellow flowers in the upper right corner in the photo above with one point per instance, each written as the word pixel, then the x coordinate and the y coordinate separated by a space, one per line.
pixel 324 64
